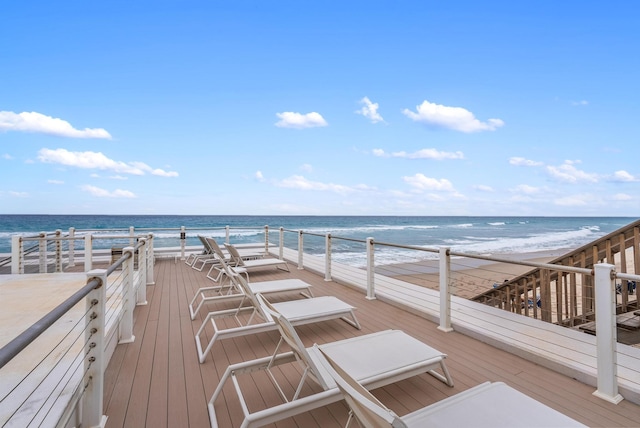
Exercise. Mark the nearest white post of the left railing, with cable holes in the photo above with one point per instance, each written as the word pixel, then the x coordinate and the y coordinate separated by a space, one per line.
pixel 92 415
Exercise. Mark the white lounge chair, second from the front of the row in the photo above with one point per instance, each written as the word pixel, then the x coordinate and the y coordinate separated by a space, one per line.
pixel 375 359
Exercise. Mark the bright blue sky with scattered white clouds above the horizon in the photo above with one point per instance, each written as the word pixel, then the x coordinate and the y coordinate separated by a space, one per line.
pixel 320 108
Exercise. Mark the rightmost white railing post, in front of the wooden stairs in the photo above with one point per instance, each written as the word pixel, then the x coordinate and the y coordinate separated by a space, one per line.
pixel 606 337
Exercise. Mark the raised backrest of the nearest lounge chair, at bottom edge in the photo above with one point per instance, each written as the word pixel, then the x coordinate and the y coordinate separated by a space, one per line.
pixel 369 411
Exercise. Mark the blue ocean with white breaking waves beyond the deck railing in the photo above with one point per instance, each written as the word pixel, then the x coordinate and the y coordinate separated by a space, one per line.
pixel 475 235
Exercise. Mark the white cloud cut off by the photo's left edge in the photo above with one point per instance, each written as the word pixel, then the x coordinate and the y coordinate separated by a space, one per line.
pixel 39 123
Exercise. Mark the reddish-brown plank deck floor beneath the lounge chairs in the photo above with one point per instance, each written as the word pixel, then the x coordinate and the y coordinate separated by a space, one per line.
pixel 157 380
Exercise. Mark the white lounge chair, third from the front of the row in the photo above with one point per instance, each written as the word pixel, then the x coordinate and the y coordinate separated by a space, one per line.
pixel 298 312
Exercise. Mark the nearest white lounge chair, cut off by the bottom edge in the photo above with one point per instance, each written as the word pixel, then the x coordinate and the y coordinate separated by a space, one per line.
pixel 487 405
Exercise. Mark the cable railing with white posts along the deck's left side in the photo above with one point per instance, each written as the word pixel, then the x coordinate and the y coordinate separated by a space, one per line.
pixel 52 373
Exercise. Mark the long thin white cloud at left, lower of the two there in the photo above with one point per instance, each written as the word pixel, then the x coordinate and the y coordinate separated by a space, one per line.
pixel 97 160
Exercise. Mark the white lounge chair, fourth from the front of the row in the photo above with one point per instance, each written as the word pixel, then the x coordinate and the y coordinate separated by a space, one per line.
pixel 232 291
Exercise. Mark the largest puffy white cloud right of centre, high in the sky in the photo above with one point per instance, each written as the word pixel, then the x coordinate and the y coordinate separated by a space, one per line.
pixel 456 118
